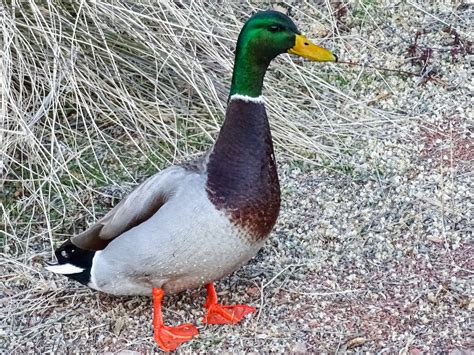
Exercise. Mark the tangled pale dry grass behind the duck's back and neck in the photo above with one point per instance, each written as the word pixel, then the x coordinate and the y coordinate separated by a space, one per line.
pixel 98 94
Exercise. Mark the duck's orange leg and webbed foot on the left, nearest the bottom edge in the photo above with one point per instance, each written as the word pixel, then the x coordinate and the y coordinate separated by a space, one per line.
pixel 169 338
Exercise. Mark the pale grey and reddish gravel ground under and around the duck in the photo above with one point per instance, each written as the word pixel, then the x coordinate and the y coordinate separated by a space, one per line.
pixel 372 253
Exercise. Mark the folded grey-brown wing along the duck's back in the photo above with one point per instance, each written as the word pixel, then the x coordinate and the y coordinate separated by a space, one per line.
pixel 137 207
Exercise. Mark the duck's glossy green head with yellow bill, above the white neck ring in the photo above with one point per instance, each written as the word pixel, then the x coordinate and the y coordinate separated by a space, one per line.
pixel 264 36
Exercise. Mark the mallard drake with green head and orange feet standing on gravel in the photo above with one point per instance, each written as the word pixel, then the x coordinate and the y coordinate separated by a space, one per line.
pixel 192 224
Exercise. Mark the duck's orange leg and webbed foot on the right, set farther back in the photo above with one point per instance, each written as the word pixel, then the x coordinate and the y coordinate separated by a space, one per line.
pixel 219 314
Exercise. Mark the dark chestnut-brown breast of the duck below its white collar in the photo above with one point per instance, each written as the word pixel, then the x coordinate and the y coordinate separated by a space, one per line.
pixel 242 174
